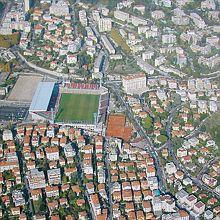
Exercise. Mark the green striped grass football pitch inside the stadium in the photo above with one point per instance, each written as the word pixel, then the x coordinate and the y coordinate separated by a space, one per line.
pixel 77 108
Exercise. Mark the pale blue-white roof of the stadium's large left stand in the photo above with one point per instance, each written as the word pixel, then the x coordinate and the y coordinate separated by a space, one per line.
pixel 42 96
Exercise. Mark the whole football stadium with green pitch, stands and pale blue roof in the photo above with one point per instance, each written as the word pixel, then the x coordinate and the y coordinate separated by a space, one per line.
pixel 77 104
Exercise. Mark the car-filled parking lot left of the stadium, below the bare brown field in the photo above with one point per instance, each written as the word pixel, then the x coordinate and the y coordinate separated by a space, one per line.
pixel 8 113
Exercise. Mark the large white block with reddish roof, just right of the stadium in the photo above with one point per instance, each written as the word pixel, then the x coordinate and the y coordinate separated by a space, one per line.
pixel 133 83
